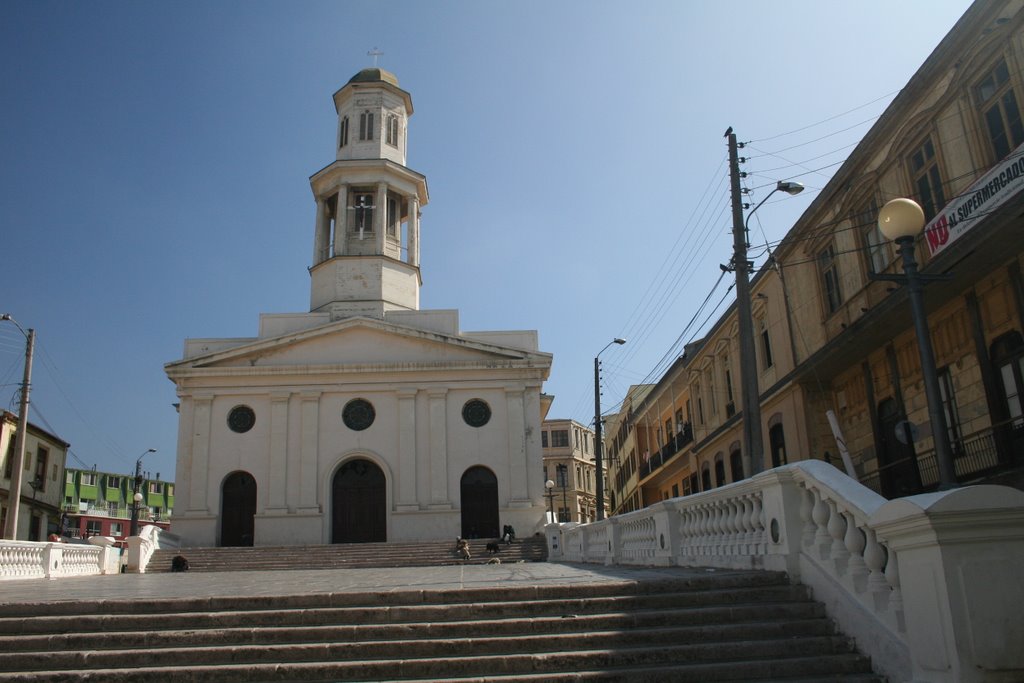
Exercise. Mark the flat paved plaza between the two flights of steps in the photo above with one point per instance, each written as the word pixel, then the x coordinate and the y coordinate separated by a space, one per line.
pixel 225 584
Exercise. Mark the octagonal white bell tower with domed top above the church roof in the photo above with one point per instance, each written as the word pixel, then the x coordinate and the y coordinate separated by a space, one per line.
pixel 367 240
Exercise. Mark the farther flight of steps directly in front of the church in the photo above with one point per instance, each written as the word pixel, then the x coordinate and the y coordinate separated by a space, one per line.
pixel 430 553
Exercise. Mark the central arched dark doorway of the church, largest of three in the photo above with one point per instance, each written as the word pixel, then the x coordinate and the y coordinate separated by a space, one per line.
pixel 360 503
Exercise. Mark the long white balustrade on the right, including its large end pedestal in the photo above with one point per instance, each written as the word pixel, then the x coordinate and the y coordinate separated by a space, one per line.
pixel 888 572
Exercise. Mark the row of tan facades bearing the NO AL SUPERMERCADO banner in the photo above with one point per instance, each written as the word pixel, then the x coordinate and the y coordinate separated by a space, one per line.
pixel 834 337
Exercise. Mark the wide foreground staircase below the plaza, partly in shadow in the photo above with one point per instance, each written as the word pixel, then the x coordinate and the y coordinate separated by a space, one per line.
pixel 723 626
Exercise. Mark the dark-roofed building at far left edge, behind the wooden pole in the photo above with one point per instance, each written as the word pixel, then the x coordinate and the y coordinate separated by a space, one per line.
pixel 39 514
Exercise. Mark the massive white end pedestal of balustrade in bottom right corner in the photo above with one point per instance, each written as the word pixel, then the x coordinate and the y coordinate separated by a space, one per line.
pixel 961 558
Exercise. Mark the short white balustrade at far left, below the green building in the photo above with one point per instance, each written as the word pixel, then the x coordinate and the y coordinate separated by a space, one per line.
pixel 27 560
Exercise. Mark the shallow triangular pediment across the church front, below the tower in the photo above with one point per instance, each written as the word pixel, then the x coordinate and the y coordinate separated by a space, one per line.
pixel 362 343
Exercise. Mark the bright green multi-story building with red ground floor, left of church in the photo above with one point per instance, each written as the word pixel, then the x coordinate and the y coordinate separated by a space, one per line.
pixel 101 503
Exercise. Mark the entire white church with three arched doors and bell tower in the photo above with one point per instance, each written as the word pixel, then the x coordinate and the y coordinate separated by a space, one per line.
pixel 366 419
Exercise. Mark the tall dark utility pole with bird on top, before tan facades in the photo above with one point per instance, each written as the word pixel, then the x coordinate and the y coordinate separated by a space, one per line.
pixel 753 456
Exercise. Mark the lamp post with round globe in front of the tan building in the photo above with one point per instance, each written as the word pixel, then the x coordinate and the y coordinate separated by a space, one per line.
pixel 901 221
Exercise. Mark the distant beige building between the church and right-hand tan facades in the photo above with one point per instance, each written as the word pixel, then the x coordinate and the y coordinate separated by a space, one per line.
pixel 569 450
